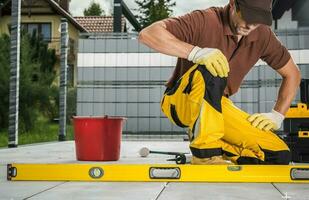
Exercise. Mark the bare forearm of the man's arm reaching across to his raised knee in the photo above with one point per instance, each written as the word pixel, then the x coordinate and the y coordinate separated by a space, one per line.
pixel 157 37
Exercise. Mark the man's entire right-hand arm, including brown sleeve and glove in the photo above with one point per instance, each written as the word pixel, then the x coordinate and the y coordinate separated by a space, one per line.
pixel 277 57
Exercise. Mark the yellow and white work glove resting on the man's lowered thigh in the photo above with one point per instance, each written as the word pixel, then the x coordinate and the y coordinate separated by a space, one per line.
pixel 267 121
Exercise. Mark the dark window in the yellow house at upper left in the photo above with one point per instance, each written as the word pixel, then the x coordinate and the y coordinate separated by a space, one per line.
pixel 43 29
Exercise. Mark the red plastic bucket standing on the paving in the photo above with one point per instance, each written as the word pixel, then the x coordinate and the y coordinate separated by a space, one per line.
pixel 98 138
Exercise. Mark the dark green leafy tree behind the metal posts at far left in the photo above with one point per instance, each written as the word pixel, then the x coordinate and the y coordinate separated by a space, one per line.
pixel 37 94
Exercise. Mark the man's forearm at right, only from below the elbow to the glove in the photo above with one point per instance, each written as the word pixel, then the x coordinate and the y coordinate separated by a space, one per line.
pixel 287 92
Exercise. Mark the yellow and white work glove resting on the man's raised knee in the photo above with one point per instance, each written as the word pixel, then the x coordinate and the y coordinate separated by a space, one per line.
pixel 214 60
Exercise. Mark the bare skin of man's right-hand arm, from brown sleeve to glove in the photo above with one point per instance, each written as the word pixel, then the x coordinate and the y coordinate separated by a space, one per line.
pixel 291 79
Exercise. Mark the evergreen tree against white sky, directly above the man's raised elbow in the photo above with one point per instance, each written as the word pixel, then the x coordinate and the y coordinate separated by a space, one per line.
pixel 151 11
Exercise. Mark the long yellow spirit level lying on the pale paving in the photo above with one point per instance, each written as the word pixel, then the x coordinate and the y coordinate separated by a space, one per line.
pixel 159 173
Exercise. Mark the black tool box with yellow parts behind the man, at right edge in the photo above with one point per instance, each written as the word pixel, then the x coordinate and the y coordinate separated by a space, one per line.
pixel 296 126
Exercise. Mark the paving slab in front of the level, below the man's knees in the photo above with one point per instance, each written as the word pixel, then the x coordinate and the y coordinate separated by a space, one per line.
pixel 219 191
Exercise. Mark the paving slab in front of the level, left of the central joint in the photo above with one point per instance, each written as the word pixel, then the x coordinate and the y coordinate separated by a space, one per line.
pixel 103 191
